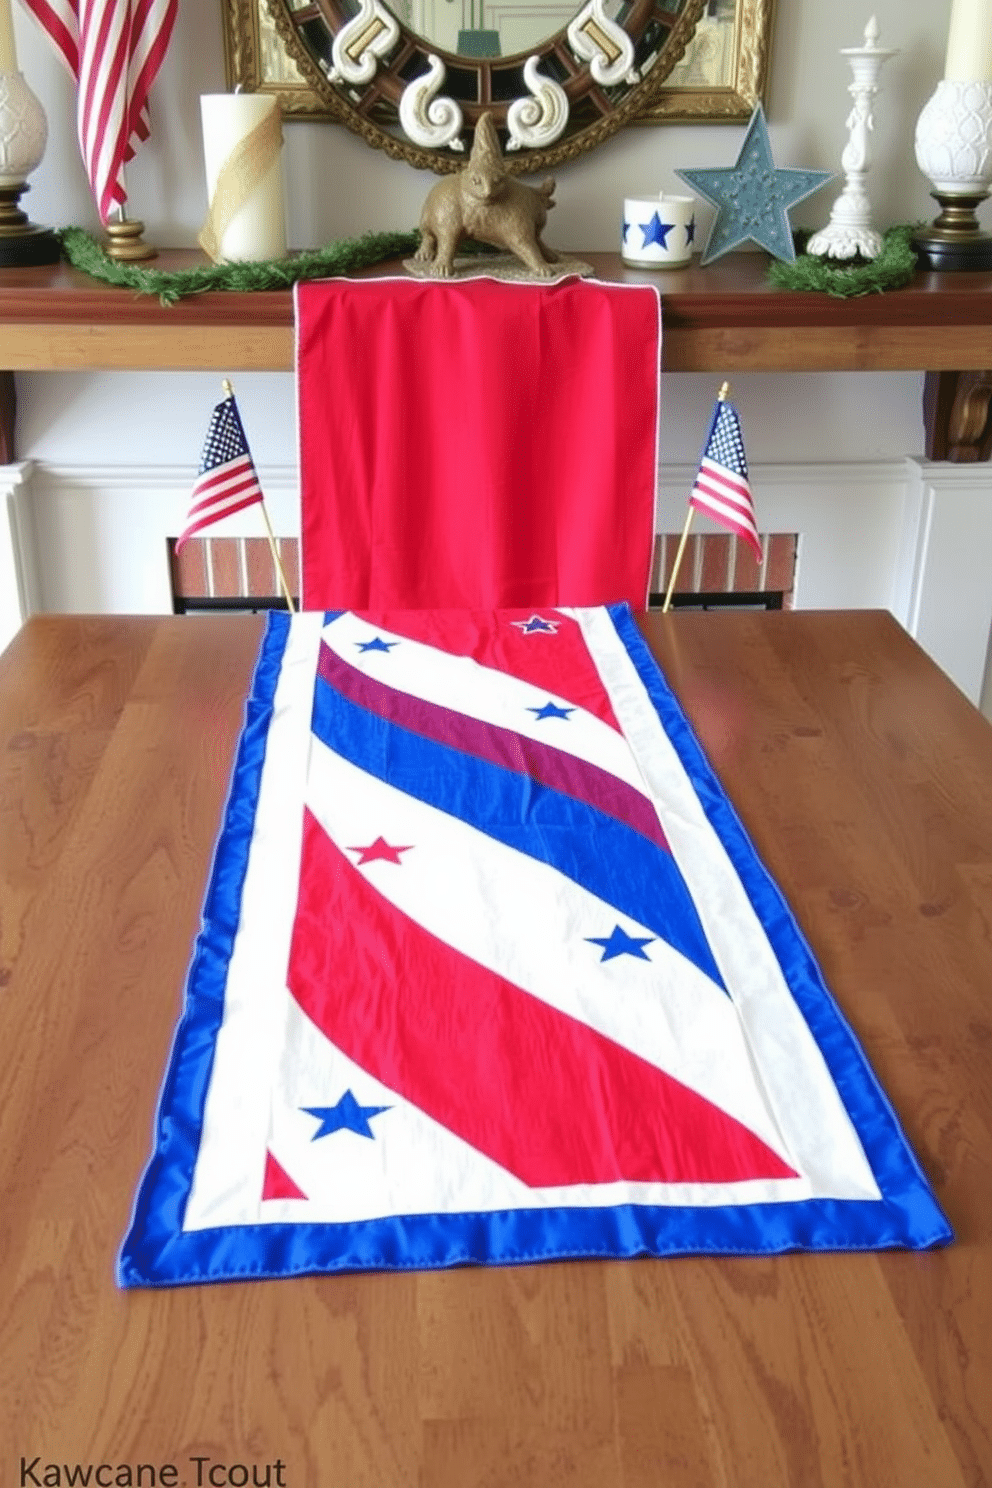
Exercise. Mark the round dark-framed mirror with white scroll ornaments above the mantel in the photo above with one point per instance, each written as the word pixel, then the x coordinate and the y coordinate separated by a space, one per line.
pixel 416 77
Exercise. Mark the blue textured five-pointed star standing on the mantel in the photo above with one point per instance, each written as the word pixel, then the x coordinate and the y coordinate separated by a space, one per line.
pixel 753 197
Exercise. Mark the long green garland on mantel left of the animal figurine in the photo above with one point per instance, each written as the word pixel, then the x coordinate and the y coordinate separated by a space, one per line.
pixel 86 254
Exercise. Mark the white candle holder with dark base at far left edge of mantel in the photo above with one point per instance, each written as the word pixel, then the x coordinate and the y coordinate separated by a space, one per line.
pixel 23 139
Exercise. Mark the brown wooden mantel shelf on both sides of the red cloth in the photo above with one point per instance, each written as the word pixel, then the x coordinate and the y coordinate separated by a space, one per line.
pixel 721 319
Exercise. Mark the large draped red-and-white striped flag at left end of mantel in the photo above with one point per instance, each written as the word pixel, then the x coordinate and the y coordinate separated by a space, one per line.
pixel 114 50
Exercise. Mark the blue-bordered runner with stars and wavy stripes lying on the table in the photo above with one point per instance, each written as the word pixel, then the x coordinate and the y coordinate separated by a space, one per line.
pixel 490 972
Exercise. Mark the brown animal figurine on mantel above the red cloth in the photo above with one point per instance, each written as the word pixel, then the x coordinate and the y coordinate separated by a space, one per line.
pixel 486 203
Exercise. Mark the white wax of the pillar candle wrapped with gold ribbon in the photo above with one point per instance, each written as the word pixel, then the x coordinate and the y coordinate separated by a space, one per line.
pixel 258 230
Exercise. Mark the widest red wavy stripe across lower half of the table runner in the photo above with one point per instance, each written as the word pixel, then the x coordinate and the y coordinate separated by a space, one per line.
pixel 539 1093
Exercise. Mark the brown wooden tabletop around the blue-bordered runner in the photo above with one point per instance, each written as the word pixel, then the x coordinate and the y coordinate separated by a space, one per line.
pixel 865 780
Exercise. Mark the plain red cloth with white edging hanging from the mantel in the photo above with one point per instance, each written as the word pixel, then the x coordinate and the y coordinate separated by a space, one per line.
pixel 477 444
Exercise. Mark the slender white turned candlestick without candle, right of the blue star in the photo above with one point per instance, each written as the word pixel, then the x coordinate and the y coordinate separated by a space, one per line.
pixel 850 231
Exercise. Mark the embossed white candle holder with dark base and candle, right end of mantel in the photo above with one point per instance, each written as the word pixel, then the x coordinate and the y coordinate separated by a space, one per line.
pixel 954 144
